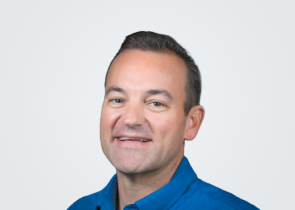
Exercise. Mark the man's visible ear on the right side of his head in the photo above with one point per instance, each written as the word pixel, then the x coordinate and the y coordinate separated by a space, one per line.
pixel 194 121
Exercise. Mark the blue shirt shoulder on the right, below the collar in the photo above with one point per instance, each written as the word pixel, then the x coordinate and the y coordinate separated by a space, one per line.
pixel 202 195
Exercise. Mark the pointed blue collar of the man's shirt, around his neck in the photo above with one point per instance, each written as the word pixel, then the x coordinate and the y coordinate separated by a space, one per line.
pixel 162 198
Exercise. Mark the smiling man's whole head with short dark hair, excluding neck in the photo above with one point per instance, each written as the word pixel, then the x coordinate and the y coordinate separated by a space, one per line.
pixel 143 121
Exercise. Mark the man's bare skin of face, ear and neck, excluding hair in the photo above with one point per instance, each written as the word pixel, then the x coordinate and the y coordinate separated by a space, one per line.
pixel 144 99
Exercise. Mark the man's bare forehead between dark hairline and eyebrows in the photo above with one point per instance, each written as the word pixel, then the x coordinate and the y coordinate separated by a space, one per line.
pixel 140 70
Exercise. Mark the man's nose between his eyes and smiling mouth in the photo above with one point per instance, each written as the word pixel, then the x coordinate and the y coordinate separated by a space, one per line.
pixel 133 116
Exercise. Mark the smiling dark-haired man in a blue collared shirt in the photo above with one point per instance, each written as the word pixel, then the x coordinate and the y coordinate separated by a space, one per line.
pixel 151 106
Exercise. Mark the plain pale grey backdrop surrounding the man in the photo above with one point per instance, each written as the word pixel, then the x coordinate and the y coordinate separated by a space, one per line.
pixel 54 56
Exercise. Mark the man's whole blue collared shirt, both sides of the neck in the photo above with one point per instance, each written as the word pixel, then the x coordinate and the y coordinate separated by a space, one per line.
pixel 185 191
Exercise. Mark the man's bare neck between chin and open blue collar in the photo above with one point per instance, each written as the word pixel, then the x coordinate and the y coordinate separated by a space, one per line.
pixel 132 187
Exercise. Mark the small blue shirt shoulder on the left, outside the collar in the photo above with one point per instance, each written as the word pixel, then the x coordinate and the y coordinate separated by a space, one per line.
pixel 87 202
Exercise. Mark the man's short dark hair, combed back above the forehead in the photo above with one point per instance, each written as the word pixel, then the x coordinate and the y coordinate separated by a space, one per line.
pixel 150 41
